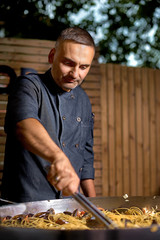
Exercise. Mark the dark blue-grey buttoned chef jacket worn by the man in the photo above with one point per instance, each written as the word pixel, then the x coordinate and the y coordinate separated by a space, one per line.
pixel 67 117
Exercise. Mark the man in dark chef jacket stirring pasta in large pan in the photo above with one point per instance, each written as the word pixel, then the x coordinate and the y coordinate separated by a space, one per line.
pixel 49 126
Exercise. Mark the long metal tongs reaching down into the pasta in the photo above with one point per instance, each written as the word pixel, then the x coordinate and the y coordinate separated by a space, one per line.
pixel 88 205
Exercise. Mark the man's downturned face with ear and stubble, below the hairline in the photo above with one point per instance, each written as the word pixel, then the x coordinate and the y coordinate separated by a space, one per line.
pixel 70 63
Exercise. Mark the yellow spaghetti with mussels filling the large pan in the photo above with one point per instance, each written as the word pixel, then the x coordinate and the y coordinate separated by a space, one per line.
pixel 124 217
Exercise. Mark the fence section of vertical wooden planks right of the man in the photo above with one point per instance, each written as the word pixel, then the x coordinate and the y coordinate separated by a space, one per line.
pixel 131 130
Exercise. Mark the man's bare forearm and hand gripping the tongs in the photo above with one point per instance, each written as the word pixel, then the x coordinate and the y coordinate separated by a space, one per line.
pixel 35 139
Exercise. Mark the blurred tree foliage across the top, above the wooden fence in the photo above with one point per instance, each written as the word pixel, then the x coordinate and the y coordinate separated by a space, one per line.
pixel 125 26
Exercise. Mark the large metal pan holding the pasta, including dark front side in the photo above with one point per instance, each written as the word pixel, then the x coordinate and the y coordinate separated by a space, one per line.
pixel 70 204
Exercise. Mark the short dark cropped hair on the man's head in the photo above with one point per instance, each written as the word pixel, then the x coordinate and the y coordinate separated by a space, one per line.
pixel 77 35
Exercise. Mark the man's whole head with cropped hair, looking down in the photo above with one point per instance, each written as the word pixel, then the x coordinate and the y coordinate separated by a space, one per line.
pixel 72 57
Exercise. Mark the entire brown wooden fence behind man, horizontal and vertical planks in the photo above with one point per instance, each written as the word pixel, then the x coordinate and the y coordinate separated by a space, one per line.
pixel 126 103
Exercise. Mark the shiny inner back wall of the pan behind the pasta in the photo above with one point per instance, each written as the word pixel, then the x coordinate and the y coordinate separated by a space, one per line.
pixel 71 204
